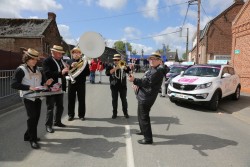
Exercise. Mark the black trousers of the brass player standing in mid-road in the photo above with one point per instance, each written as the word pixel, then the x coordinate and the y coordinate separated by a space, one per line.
pixel 123 95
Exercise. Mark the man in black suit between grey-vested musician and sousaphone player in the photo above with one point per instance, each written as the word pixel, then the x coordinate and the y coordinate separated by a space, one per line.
pixel 55 68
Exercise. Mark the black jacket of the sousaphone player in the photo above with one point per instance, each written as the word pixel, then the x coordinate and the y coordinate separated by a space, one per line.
pixel 81 78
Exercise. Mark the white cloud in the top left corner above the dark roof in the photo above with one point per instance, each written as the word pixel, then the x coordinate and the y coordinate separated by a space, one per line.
pixel 14 8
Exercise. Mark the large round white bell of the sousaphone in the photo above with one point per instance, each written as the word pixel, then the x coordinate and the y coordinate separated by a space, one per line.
pixel 92 44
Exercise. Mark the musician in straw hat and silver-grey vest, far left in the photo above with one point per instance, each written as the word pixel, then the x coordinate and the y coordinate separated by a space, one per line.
pixel 27 78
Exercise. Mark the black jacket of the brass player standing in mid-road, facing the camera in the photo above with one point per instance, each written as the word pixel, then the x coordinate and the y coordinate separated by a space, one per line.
pixel 115 79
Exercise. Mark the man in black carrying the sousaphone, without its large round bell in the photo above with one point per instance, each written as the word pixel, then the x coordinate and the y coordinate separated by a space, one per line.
pixel 79 86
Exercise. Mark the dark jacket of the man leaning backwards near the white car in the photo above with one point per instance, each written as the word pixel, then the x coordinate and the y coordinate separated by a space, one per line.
pixel 149 85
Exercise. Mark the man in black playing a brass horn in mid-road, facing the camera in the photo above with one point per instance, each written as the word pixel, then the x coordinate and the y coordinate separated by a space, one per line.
pixel 118 85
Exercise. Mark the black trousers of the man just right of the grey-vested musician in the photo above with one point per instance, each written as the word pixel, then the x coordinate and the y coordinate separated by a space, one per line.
pixel 51 101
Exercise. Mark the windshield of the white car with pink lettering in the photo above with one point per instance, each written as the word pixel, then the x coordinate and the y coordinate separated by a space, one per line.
pixel 203 71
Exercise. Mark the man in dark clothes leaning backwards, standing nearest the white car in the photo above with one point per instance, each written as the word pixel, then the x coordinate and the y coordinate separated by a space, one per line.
pixel 146 90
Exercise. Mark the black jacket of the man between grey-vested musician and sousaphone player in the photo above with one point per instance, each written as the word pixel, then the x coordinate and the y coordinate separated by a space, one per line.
pixel 50 70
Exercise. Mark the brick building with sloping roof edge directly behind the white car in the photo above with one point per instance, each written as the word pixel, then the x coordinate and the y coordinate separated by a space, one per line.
pixel 216 38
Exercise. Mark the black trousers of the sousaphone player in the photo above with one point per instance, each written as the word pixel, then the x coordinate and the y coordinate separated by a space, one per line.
pixel 78 89
